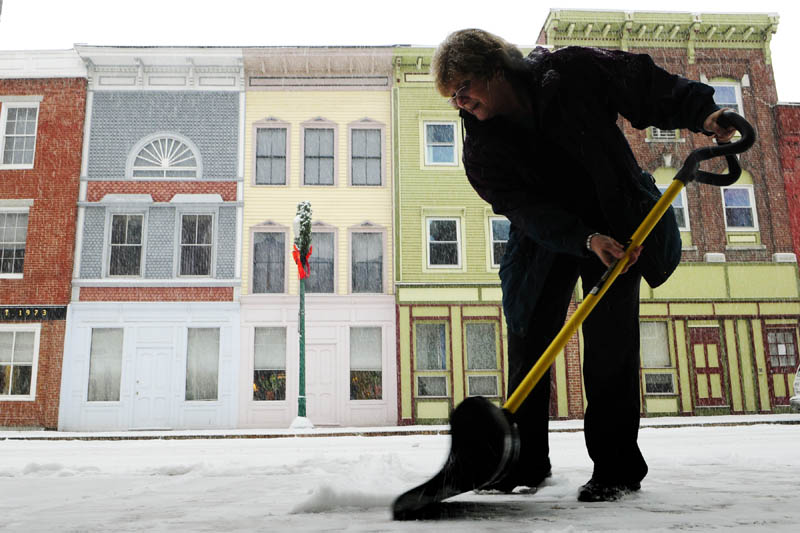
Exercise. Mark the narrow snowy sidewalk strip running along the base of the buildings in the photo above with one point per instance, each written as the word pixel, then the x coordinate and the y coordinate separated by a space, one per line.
pixel 555 426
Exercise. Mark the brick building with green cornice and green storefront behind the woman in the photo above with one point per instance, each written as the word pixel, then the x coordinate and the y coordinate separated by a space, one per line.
pixel 721 335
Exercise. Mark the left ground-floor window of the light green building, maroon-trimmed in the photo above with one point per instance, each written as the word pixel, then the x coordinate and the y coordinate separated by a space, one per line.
pixel 431 359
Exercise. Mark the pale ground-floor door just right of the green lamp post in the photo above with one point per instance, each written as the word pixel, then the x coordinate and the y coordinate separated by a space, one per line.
pixel 321 398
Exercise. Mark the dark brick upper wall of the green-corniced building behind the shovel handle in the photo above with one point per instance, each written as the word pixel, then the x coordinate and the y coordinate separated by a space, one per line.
pixel 762 162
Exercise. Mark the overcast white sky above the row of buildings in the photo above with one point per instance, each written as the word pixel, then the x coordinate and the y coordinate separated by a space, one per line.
pixel 58 24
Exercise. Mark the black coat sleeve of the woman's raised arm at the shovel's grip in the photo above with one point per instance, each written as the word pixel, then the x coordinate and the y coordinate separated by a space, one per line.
pixel 642 92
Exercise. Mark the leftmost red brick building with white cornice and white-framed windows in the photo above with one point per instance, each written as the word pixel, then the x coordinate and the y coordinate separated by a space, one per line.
pixel 42 110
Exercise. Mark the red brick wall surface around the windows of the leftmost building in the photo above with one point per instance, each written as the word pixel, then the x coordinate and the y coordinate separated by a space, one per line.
pixel 52 184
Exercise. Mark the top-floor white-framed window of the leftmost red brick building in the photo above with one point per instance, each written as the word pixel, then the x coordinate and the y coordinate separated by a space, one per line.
pixel 18 125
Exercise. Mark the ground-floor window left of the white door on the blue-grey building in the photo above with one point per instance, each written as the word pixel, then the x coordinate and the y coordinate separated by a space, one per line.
pixel 105 365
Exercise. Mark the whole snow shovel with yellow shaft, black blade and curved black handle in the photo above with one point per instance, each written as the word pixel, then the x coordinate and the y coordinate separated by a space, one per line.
pixel 484 440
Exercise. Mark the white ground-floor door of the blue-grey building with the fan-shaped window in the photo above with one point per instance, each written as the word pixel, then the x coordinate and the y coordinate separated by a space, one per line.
pixel 151 399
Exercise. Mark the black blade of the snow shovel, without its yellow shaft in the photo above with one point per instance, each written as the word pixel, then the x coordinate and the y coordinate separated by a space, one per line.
pixel 484 443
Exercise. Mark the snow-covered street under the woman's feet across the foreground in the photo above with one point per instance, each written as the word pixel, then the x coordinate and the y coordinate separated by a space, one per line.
pixel 702 478
